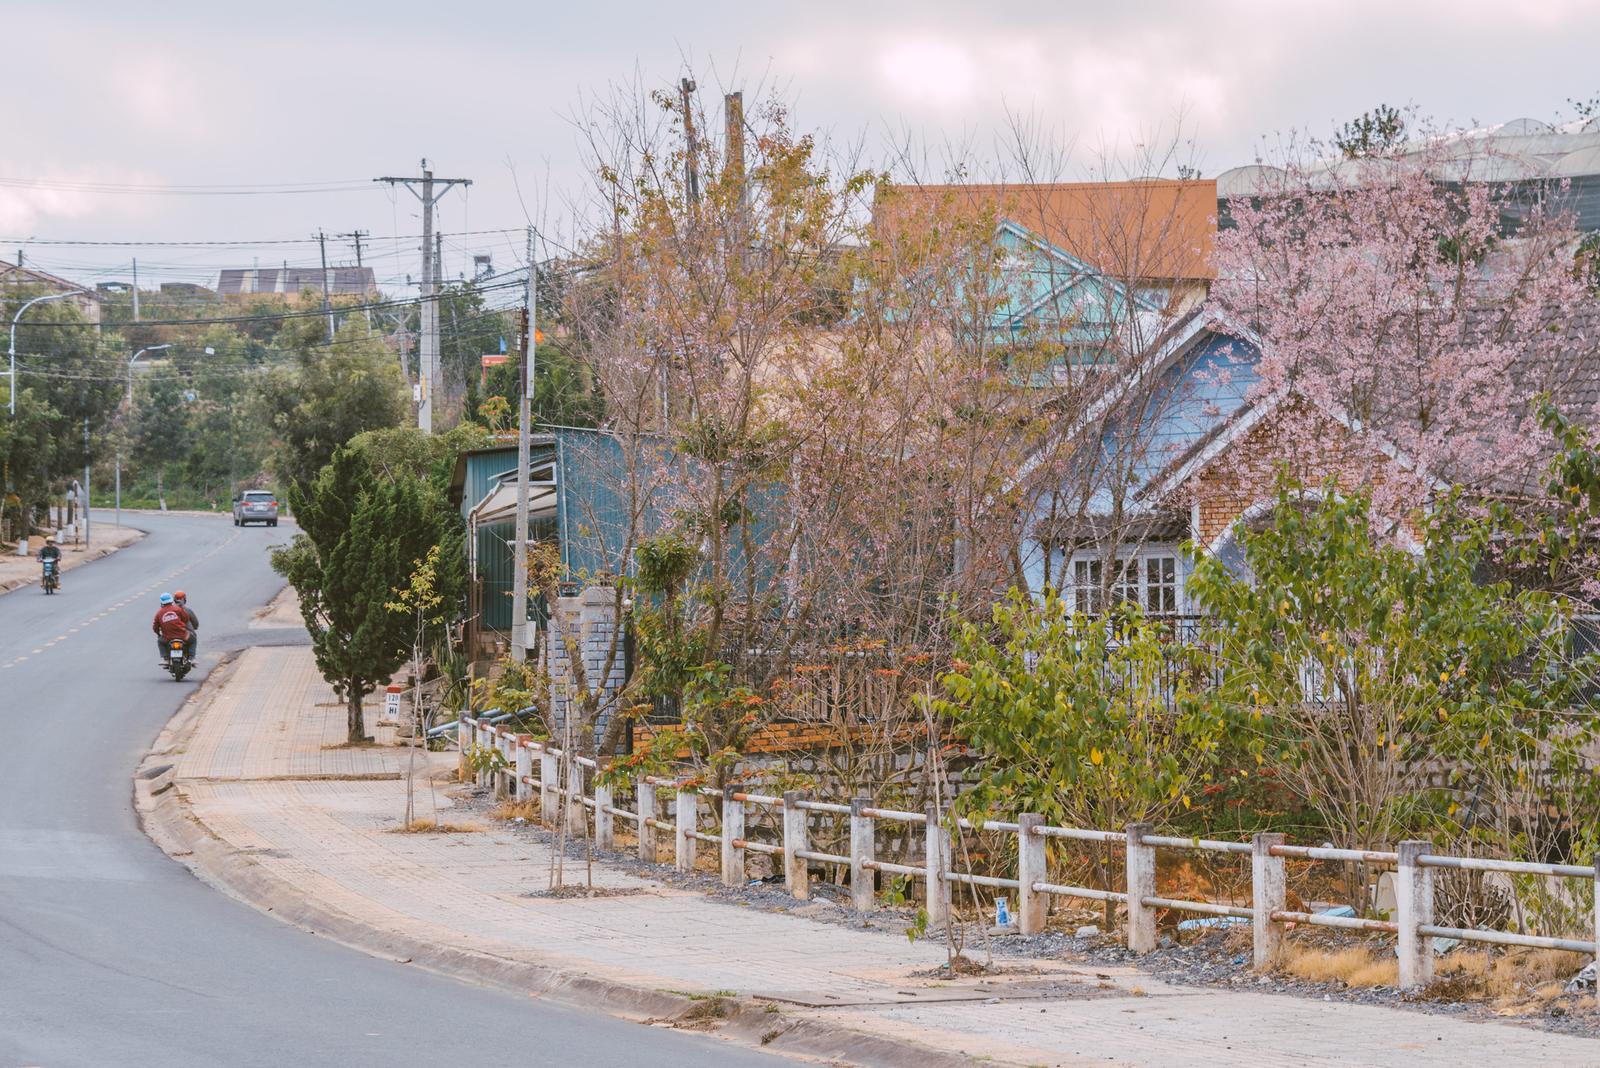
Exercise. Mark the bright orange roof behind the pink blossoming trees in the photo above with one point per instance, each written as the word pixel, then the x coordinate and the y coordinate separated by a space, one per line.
pixel 1153 229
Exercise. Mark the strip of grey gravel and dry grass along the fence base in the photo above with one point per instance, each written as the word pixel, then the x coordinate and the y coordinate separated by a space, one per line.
pixel 1207 958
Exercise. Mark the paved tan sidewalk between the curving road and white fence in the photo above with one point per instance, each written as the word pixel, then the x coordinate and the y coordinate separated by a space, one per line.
pixel 254 789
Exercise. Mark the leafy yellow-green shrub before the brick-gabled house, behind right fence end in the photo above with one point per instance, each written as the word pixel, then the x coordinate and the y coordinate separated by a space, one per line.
pixel 1354 661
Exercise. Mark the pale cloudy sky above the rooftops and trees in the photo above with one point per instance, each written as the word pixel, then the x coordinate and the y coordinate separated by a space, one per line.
pixel 297 106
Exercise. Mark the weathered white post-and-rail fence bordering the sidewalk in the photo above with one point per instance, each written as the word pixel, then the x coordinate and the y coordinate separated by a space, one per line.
pixel 570 789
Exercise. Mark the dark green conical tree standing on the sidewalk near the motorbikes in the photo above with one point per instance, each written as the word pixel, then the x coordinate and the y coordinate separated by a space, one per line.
pixel 362 538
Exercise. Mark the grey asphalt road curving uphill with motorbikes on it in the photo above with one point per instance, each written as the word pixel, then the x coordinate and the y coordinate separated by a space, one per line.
pixel 111 954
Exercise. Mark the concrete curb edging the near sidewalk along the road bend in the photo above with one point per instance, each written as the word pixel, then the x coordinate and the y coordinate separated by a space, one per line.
pixel 169 821
